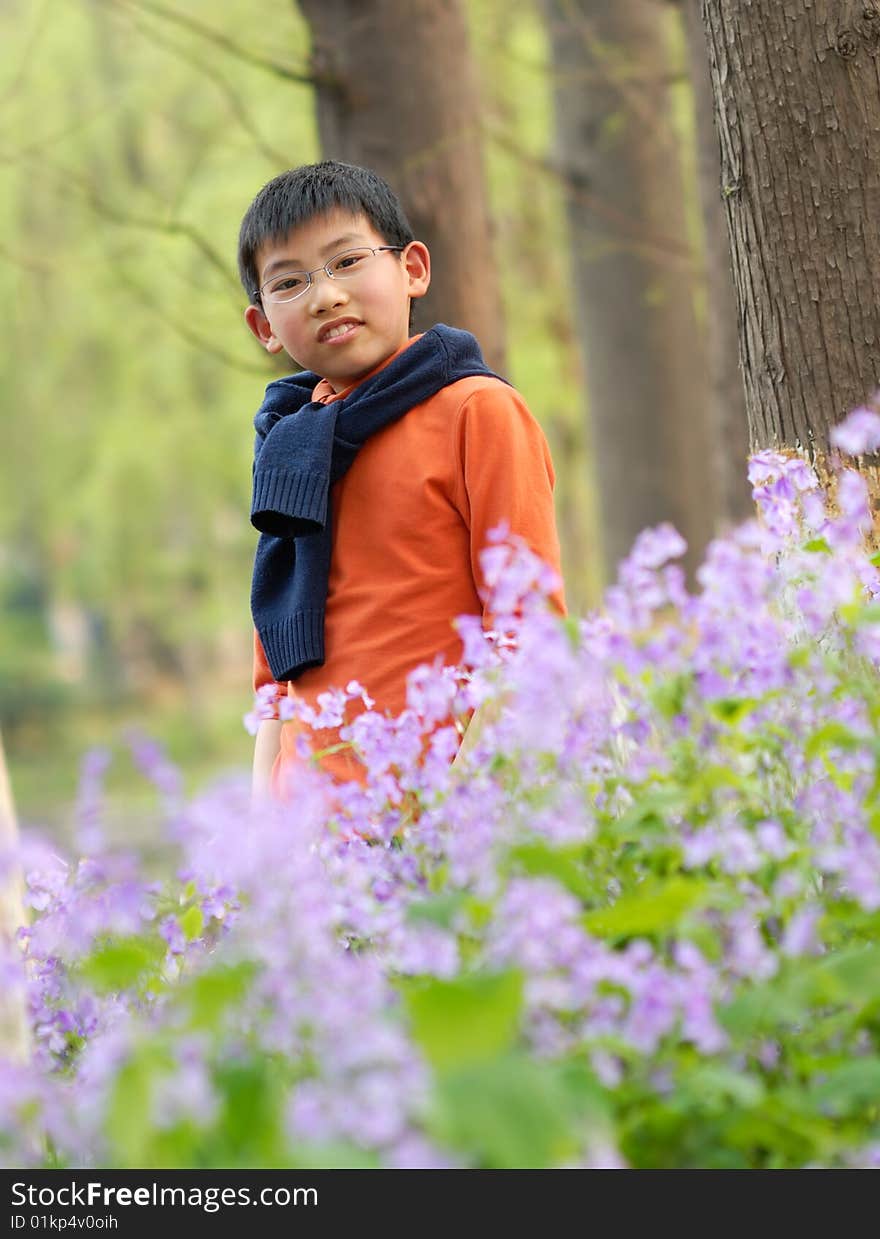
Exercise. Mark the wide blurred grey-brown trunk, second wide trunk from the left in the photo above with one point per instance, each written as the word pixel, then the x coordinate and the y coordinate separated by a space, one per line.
pixel 633 271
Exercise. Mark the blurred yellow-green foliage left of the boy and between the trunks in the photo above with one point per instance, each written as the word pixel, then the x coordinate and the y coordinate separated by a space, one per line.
pixel 132 139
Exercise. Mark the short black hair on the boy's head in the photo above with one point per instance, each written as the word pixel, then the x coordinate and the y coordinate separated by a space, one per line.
pixel 303 194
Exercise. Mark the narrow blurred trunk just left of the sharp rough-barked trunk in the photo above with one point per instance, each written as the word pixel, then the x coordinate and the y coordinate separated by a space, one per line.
pixel 727 407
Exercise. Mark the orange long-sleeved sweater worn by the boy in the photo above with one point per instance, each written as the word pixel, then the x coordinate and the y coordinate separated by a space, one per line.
pixel 410 520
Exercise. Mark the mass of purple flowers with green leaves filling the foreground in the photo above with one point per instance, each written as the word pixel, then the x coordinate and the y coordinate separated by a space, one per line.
pixel 634 925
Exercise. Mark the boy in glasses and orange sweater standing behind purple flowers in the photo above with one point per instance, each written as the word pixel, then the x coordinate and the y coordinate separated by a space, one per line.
pixel 380 470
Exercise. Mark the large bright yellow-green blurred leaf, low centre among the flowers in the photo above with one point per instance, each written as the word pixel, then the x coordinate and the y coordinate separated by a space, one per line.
pixel 468 1020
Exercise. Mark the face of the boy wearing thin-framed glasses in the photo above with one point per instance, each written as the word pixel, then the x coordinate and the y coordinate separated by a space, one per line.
pixel 371 309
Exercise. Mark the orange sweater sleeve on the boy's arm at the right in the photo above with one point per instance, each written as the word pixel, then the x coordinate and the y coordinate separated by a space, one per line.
pixel 506 475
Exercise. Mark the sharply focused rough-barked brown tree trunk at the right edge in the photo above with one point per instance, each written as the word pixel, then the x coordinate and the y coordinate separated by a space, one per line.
pixel 798 103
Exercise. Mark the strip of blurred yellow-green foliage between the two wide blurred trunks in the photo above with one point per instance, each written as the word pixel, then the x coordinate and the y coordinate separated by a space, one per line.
pixel 529 214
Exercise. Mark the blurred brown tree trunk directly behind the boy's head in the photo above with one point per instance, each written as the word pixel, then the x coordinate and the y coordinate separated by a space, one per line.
pixel 397 92
